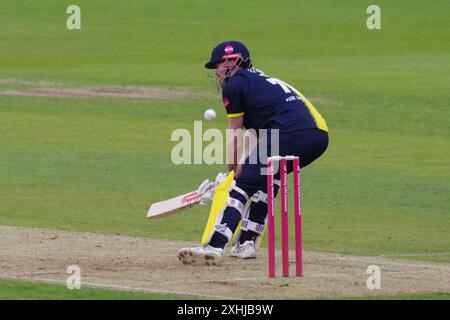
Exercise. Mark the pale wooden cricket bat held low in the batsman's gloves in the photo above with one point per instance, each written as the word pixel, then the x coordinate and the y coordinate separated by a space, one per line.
pixel 174 205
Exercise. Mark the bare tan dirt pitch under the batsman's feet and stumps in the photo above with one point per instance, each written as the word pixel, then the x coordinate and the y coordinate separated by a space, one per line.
pixel 150 265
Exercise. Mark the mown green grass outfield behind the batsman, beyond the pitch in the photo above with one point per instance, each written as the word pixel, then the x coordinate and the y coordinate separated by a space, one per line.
pixel 96 164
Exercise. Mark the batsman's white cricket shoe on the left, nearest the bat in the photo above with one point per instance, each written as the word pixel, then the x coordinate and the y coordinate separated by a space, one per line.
pixel 208 255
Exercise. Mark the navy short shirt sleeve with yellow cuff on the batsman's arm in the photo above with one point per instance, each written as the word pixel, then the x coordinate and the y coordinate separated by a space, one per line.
pixel 233 97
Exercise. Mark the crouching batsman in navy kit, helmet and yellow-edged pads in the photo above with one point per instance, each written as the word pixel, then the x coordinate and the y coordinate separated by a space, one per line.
pixel 252 101
